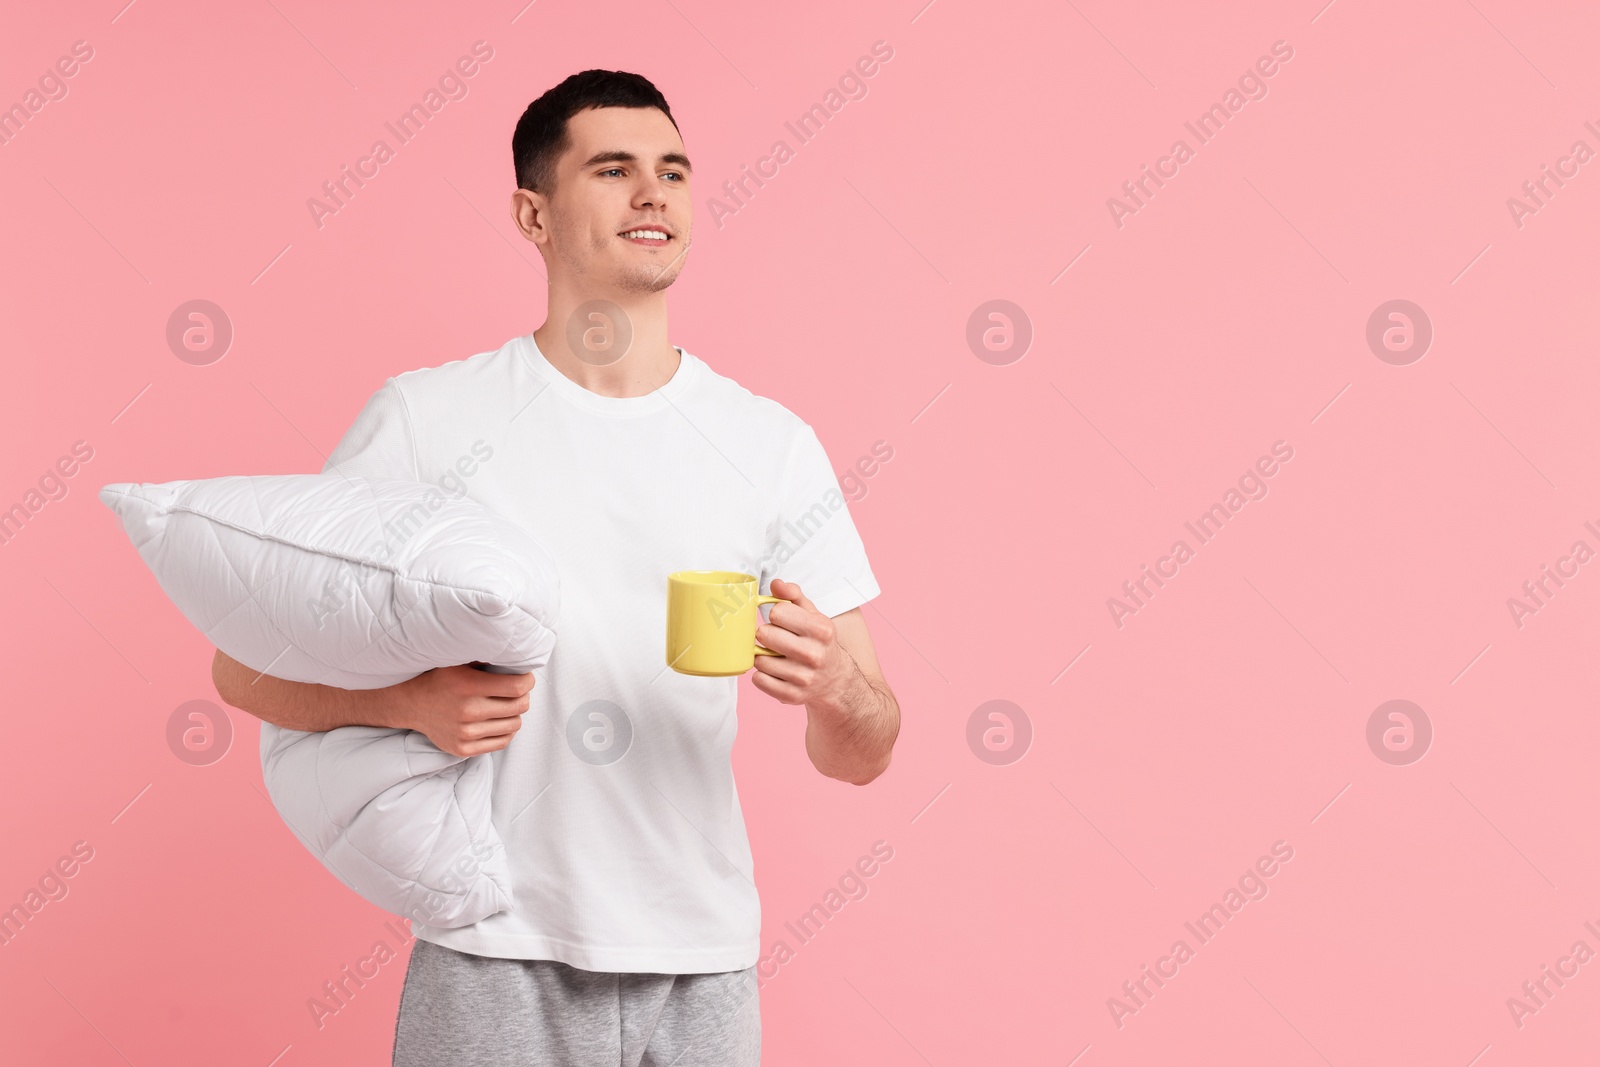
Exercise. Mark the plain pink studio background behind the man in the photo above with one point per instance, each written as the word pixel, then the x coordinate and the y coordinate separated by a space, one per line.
pixel 1228 314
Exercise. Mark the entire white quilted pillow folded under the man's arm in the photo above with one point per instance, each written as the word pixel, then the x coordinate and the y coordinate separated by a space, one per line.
pixel 361 585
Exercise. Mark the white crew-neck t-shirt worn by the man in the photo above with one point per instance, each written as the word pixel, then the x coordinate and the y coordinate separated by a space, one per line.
pixel 617 797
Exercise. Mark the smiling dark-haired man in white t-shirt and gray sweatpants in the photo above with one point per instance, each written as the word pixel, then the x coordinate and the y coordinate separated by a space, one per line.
pixel 636 930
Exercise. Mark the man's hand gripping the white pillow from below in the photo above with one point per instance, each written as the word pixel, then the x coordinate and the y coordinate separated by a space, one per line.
pixel 463 711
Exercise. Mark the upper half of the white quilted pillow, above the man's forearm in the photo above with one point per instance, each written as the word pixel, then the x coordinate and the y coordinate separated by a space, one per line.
pixel 356 583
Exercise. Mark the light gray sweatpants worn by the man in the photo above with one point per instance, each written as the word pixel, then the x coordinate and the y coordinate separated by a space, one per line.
pixel 482 1012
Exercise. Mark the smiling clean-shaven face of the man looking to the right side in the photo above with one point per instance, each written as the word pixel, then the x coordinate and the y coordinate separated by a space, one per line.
pixel 625 172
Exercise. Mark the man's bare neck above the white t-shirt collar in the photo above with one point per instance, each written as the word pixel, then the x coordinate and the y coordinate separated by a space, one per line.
pixel 649 362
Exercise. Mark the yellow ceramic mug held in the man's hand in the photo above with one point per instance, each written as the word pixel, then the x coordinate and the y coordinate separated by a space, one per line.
pixel 711 623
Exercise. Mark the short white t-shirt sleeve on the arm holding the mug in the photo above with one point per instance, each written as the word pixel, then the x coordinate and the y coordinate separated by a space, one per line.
pixel 814 541
